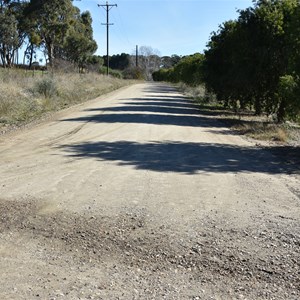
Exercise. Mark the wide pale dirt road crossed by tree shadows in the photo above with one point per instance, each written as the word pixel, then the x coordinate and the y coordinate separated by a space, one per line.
pixel 136 195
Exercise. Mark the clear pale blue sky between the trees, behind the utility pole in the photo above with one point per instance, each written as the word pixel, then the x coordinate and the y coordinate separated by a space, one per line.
pixel 171 26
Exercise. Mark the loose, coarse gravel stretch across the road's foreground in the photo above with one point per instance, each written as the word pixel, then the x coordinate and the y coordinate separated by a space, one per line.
pixel 136 255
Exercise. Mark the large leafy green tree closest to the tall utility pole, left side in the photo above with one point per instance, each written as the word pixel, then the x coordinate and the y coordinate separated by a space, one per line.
pixel 59 27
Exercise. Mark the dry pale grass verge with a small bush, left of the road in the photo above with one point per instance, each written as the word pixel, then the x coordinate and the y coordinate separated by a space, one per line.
pixel 24 97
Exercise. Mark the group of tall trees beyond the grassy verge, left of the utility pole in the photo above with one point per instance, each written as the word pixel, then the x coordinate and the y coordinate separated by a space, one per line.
pixel 55 27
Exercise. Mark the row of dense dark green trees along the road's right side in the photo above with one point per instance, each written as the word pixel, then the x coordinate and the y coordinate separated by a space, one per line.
pixel 251 62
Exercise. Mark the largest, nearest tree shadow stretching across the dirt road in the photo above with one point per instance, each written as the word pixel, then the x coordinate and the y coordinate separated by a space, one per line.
pixel 187 158
